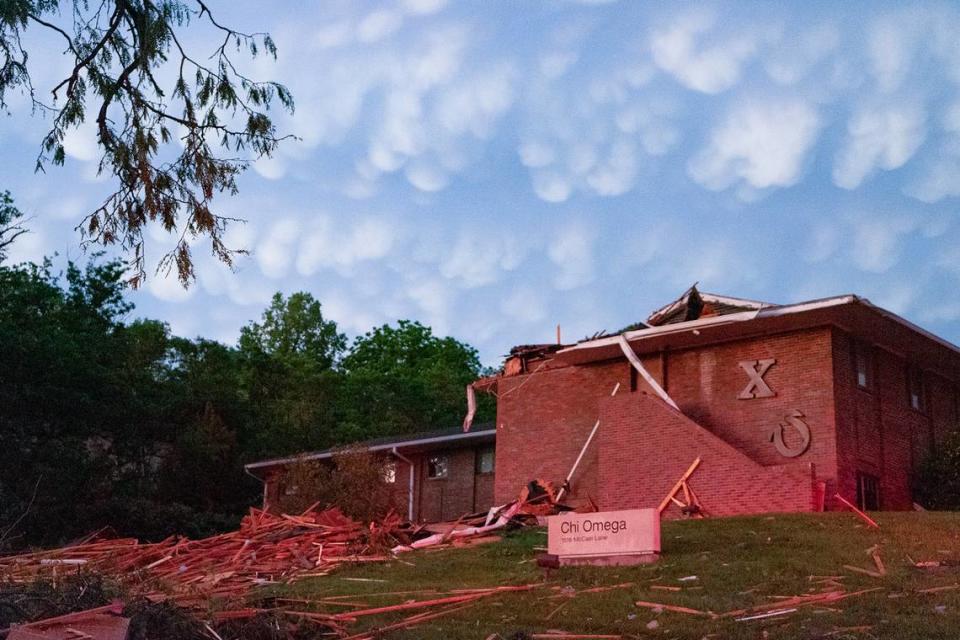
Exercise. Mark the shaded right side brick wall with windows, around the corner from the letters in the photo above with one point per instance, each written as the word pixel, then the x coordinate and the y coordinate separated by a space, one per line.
pixel 878 432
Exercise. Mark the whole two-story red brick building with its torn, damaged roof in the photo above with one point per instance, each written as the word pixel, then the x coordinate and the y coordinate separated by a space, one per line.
pixel 785 405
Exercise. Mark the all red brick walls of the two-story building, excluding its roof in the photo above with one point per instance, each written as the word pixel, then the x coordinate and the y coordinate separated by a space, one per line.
pixel 642 447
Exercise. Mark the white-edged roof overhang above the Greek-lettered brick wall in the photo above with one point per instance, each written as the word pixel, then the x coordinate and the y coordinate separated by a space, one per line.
pixel 851 313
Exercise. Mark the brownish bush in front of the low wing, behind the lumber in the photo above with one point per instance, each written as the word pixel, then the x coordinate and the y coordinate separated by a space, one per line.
pixel 354 482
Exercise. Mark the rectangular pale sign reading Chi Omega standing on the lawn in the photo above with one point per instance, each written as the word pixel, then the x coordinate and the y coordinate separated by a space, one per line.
pixel 605 537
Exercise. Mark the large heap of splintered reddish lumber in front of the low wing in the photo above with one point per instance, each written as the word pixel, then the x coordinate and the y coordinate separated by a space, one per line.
pixel 266 549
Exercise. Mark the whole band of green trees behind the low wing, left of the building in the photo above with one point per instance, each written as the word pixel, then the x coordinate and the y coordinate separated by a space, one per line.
pixel 112 421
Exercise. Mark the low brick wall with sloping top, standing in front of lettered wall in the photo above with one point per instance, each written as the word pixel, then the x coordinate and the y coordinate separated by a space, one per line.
pixel 639 466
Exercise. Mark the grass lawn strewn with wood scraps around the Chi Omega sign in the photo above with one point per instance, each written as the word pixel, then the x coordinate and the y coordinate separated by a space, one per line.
pixel 738 563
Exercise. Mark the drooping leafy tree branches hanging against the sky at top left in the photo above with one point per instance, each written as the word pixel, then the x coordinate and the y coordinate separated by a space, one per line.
pixel 121 53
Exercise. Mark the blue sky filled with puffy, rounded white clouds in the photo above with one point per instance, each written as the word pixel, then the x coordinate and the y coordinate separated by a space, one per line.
pixel 495 168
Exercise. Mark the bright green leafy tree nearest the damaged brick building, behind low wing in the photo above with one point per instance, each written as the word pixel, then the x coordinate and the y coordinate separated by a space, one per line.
pixel 404 379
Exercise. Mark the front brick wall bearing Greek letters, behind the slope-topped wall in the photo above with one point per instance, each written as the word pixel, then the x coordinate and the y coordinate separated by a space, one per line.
pixel 544 418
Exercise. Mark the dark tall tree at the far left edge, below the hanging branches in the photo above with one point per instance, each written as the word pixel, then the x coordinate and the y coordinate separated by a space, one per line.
pixel 60 392
